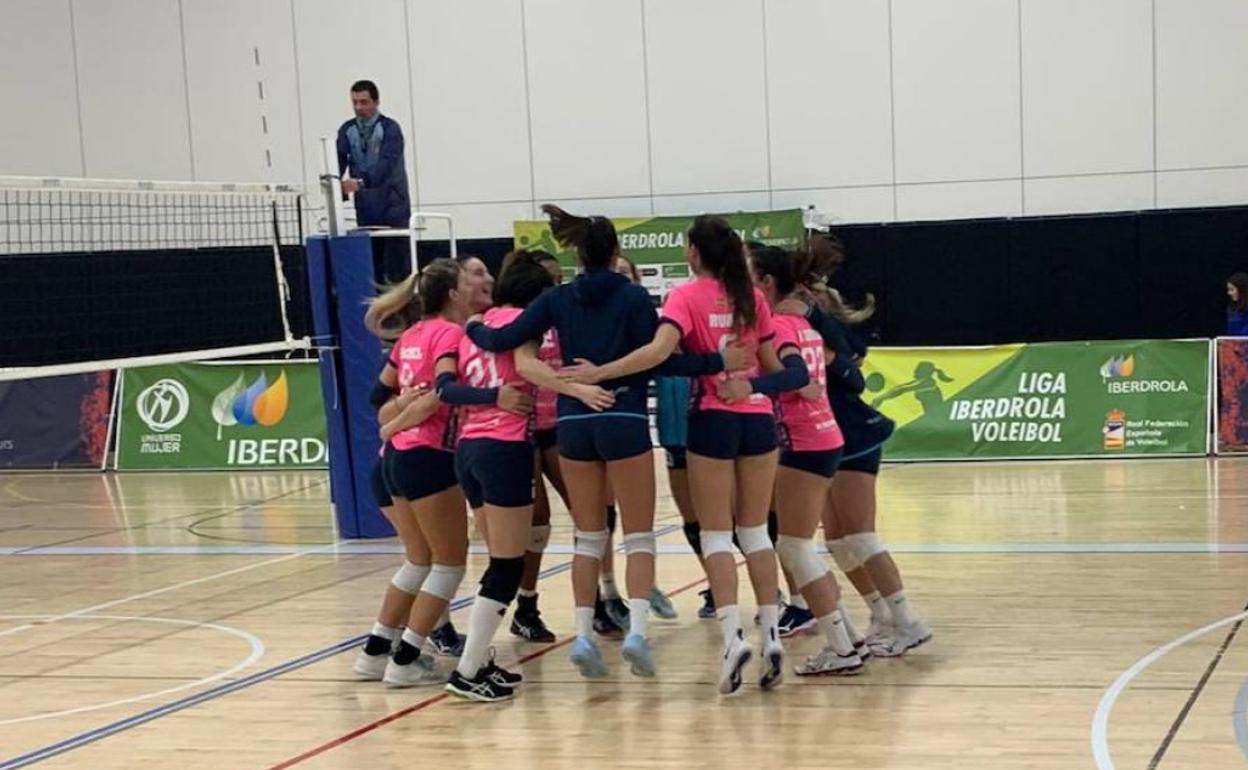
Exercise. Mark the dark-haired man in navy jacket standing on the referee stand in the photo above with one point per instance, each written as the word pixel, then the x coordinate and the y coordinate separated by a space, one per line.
pixel 371 148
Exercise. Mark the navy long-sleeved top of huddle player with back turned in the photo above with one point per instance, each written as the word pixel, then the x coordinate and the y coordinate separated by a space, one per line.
pixel 601 316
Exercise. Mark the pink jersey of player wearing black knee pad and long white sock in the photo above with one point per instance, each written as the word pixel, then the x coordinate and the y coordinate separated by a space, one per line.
pixel 485 370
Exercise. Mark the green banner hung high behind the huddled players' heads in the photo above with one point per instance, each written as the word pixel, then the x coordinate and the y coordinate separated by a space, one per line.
pixel 657 245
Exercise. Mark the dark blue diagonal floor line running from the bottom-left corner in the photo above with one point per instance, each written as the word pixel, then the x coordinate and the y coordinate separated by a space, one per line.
pixel 225 690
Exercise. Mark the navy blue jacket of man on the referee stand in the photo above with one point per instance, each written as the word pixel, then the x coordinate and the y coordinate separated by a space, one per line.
pixel 383 199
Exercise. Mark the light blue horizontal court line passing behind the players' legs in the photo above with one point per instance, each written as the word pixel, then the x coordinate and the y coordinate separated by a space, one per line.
pixel 354 548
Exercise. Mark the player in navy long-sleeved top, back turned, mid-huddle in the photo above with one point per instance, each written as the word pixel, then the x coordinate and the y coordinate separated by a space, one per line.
pixel 601 316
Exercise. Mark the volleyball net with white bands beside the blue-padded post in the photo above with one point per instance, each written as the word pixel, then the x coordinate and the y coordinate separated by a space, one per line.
pixel 115 225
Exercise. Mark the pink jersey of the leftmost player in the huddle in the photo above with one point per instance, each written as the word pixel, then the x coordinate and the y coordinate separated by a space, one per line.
pixel 416 356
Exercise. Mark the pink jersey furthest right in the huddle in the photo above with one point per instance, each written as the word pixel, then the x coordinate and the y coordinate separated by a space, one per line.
pixel 809 425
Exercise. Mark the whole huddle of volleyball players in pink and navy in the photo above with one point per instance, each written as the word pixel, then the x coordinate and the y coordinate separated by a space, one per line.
pixel 495 389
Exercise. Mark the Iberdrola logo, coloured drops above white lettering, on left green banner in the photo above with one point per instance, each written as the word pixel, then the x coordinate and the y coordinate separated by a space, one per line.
pixel 263 405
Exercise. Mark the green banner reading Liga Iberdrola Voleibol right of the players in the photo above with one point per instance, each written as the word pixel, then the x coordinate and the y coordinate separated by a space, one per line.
pixel 1049 400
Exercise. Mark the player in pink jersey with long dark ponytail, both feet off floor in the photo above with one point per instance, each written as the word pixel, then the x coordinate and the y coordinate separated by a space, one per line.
pixel 732 444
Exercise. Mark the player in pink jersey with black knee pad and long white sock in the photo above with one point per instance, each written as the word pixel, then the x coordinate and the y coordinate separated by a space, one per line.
pixel 495 466
